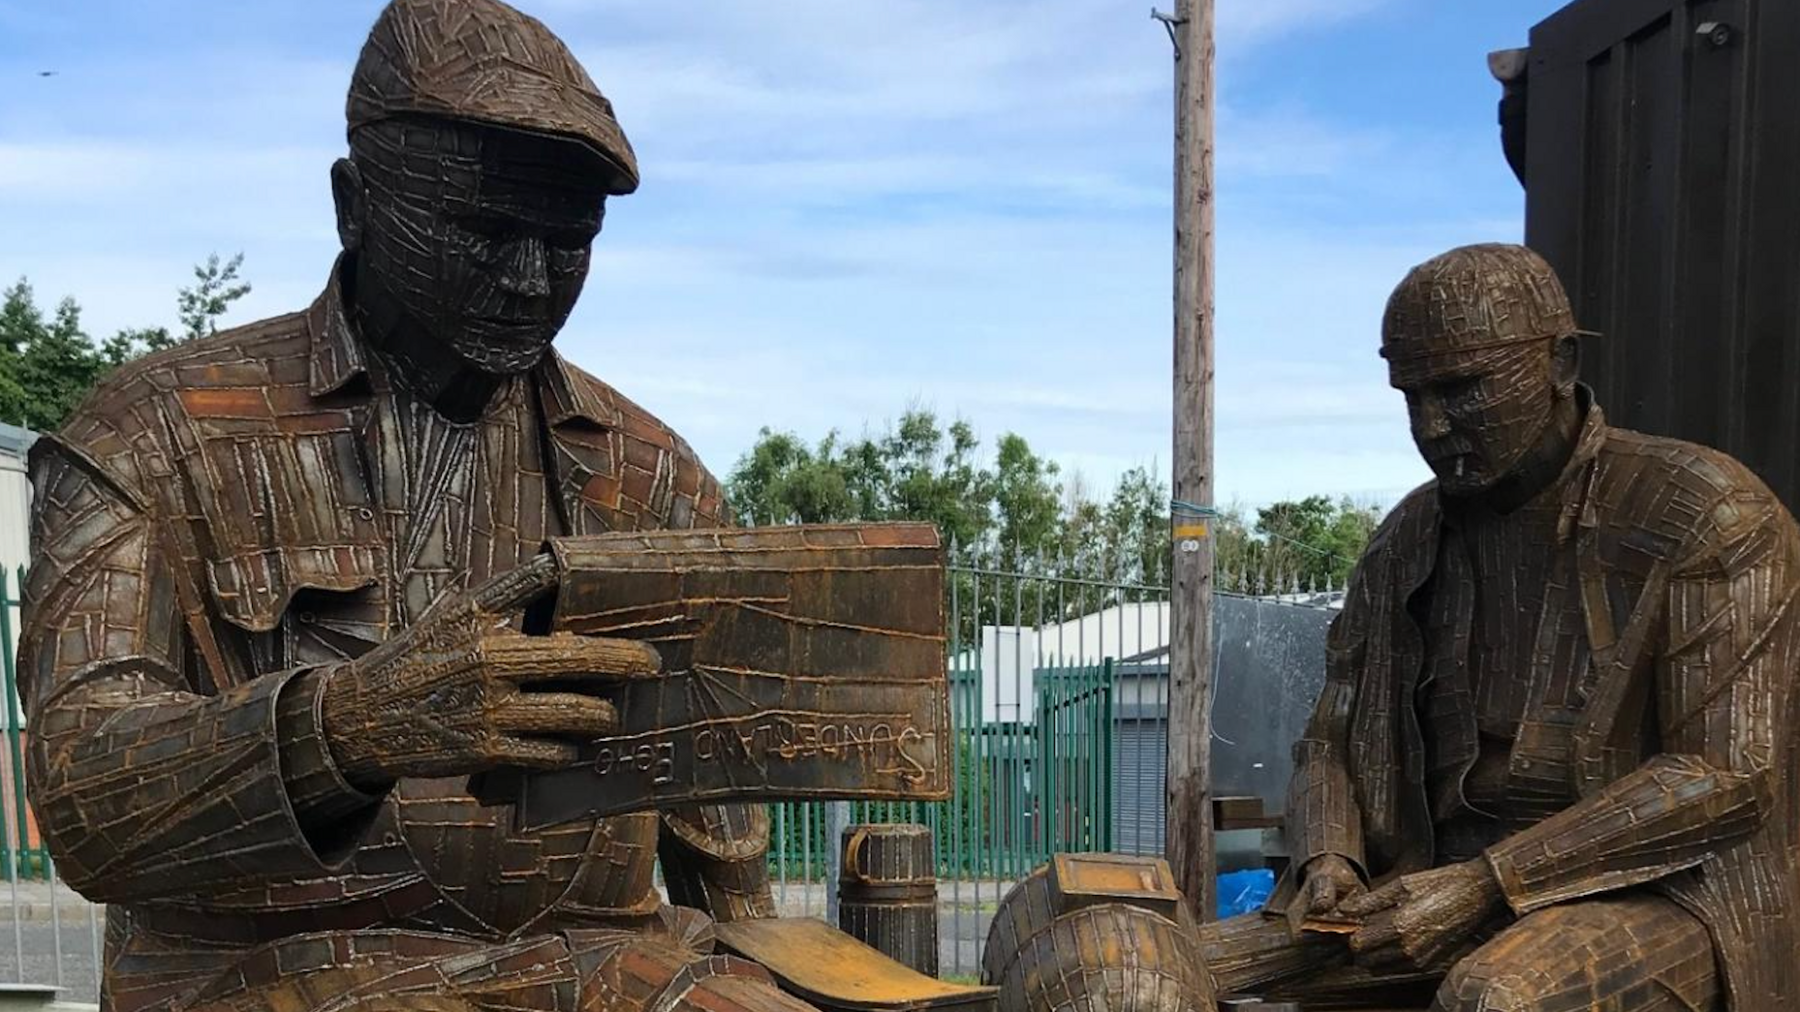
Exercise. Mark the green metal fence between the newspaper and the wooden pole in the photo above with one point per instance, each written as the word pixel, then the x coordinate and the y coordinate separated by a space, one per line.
pixel 1038 703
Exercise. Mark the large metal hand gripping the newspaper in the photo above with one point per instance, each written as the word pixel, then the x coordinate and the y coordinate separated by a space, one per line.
pixel 462 694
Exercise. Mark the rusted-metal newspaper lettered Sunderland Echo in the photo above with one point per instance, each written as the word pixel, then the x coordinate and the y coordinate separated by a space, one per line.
pixel 796 664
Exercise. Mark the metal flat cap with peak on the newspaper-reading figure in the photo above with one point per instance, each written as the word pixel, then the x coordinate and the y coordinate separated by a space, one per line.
pixel 483 62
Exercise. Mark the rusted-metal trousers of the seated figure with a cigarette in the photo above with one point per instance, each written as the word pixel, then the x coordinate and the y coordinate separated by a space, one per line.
pixel 1626 953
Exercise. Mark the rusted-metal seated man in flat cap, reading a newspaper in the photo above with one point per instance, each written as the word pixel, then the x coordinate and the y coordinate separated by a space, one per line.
pixel 265 644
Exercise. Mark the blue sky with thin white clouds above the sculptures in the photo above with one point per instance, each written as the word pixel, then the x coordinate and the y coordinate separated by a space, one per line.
pixel 849 208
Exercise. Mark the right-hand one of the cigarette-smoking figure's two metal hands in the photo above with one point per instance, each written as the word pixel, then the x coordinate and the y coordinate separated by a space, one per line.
pixel 1419 923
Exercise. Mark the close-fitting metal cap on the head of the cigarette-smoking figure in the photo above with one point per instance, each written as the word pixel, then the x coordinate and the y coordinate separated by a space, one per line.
pixel 1473 302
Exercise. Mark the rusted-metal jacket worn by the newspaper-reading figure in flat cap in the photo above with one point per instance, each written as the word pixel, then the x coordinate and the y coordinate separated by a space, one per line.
pixel 224 520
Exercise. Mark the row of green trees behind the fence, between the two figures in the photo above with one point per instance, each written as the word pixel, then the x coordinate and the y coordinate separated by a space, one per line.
pixel 1018 516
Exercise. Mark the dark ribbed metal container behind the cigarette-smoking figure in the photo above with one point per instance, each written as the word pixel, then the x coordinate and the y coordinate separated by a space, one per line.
pixel 1659 149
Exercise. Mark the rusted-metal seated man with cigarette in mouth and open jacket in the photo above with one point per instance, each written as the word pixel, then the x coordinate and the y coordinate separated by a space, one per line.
pixel 1554 761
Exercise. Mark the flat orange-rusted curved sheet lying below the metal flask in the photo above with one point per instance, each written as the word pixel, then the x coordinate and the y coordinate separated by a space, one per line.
pixel 838 973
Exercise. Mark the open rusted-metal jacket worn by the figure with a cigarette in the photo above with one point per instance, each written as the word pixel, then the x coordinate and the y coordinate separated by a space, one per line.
pixel 1662 696
